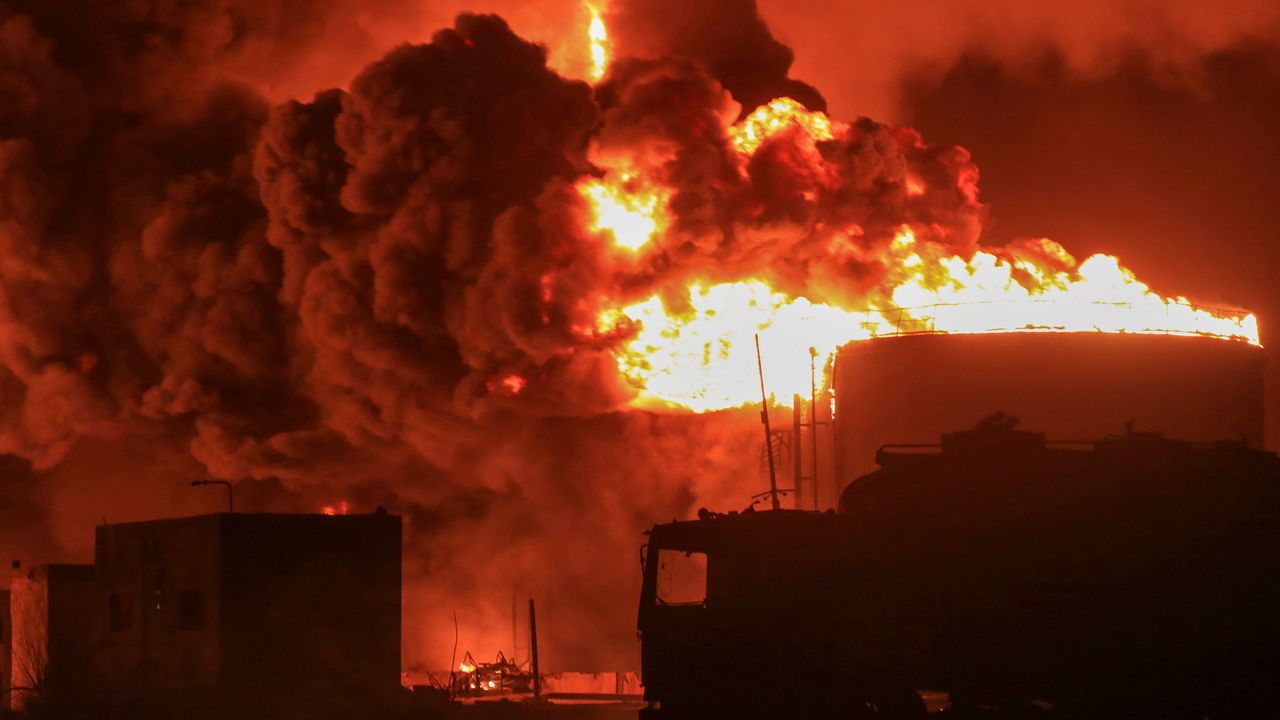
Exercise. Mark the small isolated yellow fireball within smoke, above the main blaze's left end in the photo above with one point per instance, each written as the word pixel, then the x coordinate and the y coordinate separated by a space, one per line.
pixel 625 208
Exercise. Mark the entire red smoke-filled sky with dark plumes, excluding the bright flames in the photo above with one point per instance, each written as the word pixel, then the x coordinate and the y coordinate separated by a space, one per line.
pixel 298 244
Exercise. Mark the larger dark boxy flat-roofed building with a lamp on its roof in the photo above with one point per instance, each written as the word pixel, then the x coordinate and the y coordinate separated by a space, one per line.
pixel 255 605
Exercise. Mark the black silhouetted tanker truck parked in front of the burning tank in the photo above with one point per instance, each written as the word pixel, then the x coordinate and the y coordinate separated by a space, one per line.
pixel 1132 577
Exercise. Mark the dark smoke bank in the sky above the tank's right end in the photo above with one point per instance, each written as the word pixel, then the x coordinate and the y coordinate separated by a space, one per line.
pixel 1173 167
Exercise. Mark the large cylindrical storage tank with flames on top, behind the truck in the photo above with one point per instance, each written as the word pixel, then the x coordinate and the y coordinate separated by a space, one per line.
pixel 1069 386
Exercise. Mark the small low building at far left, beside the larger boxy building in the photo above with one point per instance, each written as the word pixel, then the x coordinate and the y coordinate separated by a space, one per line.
pixel 52 631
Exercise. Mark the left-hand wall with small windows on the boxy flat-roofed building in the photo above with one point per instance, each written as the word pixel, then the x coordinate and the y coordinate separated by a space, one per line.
pixel 158 603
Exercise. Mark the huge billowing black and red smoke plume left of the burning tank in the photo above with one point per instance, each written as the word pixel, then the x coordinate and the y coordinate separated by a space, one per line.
pixel 388 294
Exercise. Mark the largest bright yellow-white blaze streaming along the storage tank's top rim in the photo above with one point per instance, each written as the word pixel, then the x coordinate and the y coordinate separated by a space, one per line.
pixel 702 358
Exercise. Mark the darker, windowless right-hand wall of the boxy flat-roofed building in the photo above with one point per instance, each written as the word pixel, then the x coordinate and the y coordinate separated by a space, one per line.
pixel 313 601
